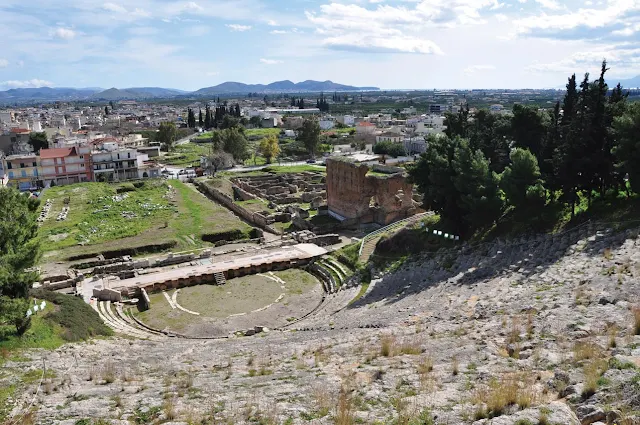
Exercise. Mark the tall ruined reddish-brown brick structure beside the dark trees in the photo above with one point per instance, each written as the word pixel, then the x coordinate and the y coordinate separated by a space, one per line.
pixel 369 199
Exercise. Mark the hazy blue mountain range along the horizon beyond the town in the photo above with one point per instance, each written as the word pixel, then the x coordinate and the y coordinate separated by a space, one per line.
pixel 139 93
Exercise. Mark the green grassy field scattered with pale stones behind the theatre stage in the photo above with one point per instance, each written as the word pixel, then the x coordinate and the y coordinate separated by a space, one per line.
pixel 159 211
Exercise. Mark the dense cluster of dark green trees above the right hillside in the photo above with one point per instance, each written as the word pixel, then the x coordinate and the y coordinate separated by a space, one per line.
pixel 586 146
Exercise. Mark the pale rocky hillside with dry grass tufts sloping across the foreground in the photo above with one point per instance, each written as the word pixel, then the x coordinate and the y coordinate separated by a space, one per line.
pixel 542 331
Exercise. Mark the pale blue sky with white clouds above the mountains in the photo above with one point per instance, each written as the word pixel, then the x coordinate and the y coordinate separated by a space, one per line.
pixel 385 43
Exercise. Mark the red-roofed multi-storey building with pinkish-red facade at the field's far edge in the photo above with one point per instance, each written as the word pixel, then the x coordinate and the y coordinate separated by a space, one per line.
pixel 66 165
